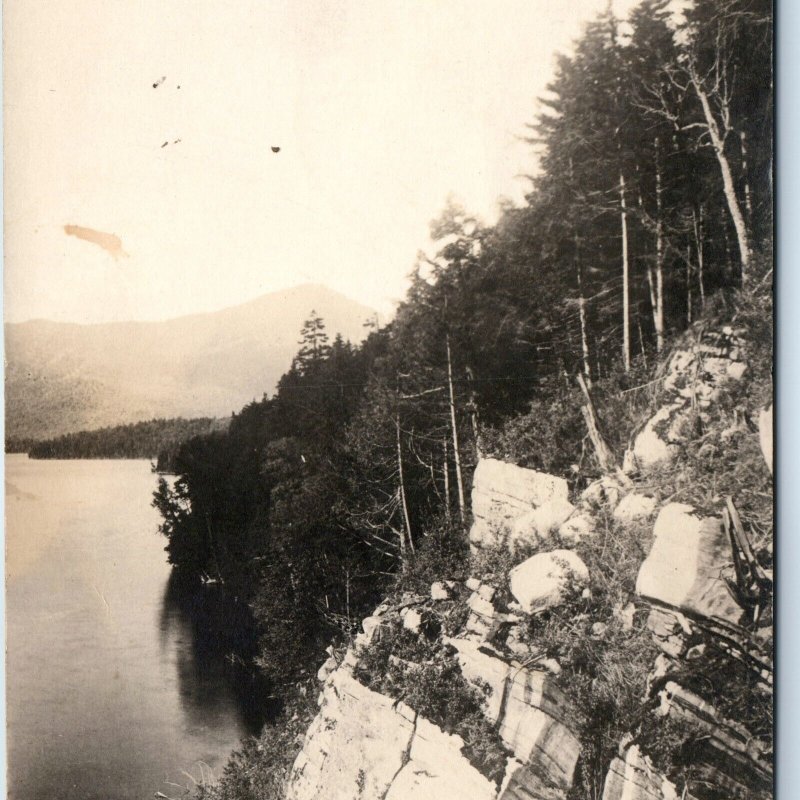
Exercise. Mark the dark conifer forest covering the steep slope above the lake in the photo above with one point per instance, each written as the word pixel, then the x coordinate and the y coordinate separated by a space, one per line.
pixel 654 195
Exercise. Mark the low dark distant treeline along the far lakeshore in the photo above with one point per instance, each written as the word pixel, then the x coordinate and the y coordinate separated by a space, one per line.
pixel 159 438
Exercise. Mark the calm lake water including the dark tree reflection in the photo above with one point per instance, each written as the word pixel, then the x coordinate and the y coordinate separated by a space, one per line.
pixel 117 685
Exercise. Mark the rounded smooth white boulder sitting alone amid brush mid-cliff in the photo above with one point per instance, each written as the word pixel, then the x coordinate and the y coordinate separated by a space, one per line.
pixel 546 579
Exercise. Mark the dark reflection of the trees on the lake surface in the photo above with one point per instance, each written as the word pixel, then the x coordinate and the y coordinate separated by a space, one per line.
pixel 208 634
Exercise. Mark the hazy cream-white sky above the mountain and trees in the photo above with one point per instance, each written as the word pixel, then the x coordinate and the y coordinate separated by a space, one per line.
pixel 381 109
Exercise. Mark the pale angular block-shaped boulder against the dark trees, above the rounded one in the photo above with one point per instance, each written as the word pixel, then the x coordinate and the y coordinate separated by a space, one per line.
pixel 501 493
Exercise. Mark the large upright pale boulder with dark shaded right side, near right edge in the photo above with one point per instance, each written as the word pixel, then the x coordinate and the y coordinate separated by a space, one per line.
pixel 690 565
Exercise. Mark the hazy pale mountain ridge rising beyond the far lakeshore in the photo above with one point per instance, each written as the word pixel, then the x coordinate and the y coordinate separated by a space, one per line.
pixel 64 377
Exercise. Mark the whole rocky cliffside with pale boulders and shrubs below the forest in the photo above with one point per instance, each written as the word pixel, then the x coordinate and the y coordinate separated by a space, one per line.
pixel 617 640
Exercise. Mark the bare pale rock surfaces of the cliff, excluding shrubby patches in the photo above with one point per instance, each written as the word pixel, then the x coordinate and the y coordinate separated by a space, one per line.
pixel 692 588
